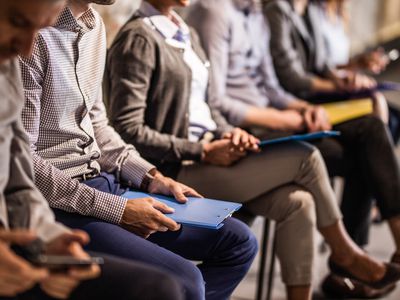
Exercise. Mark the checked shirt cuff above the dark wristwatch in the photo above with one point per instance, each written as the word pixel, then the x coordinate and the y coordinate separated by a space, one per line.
pixel 134 169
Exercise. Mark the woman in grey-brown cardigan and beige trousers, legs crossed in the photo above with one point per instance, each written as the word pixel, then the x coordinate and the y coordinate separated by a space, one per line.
pixel 158 78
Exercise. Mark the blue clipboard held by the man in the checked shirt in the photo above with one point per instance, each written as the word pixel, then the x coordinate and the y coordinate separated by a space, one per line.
pixel 198 212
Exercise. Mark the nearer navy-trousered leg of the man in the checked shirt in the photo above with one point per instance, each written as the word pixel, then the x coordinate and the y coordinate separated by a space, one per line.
pixel 112 239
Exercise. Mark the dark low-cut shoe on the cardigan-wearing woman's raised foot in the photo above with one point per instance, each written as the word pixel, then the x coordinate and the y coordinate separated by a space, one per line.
pixel 392 275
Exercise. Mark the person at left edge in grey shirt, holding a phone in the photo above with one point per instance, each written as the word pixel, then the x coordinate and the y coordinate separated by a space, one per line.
pixel 25 215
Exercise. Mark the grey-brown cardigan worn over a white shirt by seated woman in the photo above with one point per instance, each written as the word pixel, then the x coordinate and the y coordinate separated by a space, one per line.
pixel 148 96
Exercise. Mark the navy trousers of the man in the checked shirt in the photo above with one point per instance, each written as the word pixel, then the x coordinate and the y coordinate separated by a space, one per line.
pixel 225 255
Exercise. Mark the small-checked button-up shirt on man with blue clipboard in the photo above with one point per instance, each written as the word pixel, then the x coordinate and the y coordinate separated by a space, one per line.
pixel 66 119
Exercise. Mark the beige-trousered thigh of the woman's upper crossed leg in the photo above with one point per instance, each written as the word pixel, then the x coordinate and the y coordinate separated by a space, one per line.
pixel 252 176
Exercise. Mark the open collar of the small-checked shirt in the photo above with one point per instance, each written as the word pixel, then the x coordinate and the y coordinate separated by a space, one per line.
pixel 66 20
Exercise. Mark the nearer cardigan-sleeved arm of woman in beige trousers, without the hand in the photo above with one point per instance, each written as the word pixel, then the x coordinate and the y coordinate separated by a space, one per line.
pixel 131 68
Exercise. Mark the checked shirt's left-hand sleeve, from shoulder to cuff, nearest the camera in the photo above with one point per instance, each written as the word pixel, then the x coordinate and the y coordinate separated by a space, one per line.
pixel 60 190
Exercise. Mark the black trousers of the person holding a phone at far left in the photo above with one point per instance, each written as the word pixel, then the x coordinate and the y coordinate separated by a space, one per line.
pixel 120 279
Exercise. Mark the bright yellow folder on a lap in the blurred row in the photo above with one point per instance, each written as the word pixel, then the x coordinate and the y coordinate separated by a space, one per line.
pixel 339 112
